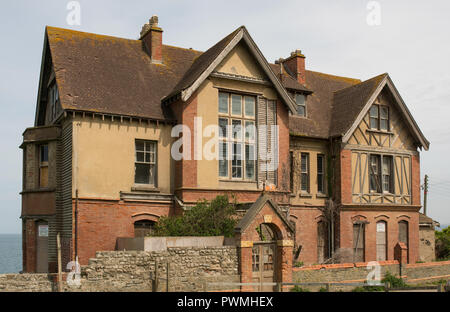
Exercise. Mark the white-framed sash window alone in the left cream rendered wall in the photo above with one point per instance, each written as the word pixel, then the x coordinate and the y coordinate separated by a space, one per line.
pixel 145 163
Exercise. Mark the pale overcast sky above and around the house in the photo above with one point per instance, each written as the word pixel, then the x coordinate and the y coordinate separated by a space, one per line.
pixel 410 43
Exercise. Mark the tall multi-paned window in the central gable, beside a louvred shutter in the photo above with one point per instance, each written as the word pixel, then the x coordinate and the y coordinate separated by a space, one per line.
pixel 237 145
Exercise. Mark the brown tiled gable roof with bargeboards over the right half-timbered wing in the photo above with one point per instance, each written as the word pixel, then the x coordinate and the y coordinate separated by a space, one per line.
pixel 352 104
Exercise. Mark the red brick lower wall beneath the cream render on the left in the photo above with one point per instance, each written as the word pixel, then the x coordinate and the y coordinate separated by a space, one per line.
pixel 101 222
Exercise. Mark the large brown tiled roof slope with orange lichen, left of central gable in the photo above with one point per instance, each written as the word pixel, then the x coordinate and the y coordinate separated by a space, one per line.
pixel 105 74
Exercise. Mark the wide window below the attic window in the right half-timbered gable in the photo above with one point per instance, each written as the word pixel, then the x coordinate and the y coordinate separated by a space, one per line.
pixel 381 174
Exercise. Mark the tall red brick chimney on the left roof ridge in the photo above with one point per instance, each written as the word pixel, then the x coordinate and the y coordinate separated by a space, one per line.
pixel 151 35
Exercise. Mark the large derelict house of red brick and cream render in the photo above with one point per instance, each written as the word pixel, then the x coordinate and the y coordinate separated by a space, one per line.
pixel 97 163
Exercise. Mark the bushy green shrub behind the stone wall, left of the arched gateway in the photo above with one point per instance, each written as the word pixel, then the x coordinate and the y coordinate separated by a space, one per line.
pixel 213 218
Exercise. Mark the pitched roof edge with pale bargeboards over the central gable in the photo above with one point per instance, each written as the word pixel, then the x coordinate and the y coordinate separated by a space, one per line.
pixel 209 60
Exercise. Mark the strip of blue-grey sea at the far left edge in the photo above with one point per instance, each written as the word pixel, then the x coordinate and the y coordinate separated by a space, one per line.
pixel 10 253
